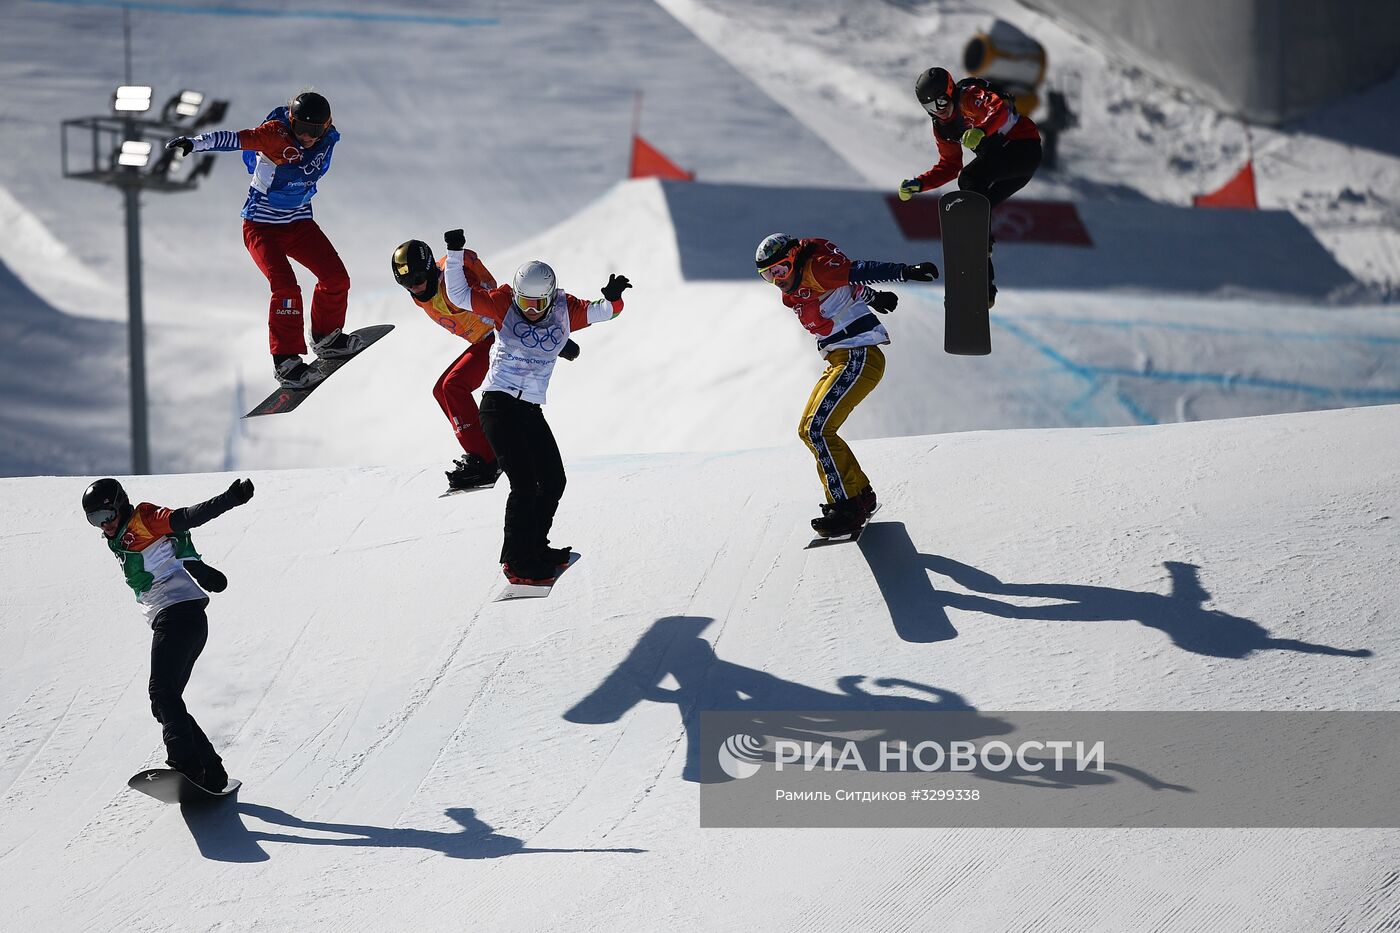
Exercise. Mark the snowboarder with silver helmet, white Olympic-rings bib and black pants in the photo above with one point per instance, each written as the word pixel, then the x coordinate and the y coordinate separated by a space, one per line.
pixel 533 319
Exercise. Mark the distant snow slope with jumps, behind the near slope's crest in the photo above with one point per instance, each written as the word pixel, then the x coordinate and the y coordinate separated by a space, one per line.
pixel 444 127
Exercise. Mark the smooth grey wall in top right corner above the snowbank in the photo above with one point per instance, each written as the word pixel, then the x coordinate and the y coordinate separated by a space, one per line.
pixel 1268 61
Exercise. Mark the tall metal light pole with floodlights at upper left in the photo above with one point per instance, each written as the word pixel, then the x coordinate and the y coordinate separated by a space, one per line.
pixel 121 156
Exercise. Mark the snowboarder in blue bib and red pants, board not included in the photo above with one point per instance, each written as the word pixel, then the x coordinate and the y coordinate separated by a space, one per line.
pixel 288 155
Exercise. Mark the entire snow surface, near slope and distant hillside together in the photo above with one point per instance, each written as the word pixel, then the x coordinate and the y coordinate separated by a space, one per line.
pixel 1135 504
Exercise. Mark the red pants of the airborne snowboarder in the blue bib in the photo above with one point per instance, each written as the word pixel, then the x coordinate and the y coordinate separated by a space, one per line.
pixel 271 247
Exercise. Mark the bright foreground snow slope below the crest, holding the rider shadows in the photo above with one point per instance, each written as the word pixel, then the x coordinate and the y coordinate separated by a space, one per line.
pixel 418 757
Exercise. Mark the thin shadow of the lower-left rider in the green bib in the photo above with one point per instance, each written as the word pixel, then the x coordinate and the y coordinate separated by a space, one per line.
pixel 223 837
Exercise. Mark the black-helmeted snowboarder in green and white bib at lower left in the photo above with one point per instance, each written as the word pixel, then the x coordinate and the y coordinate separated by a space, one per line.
pixel 163 567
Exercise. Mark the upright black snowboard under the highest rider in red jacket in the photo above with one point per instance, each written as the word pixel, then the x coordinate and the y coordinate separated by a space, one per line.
pixel 965 218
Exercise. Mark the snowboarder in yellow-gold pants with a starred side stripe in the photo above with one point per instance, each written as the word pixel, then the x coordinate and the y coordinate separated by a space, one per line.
pixel 832 300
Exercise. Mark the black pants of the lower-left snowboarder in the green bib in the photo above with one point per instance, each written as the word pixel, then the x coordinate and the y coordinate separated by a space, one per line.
pixel 178 635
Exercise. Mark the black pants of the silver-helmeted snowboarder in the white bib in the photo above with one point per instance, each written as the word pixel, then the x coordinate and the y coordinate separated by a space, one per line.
pixel 530 459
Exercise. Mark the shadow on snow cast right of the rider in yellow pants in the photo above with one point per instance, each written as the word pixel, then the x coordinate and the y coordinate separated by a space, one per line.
pixel 918 609
